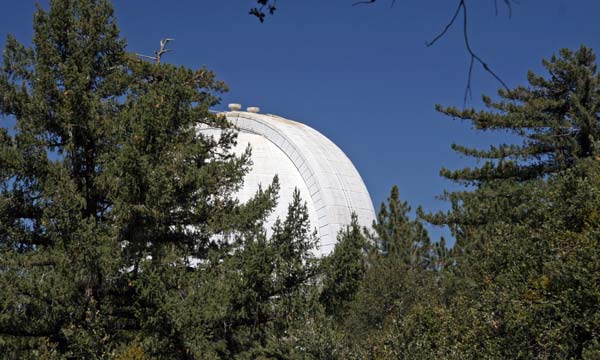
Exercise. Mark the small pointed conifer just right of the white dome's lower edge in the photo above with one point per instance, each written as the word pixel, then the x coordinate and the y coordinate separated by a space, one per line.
pixel 403 272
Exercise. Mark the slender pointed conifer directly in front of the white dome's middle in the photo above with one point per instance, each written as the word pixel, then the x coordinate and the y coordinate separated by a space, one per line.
pixel 283 282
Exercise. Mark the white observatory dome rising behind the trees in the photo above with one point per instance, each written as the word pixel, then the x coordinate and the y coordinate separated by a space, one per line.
pixel 306 160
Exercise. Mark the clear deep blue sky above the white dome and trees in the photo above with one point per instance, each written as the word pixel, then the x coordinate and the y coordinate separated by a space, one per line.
pixel 361 75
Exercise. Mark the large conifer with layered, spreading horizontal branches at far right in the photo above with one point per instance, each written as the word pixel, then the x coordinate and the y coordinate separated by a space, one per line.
pixel 556 119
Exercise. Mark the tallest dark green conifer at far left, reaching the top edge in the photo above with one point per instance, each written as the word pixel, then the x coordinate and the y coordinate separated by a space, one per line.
pixel 57 253
